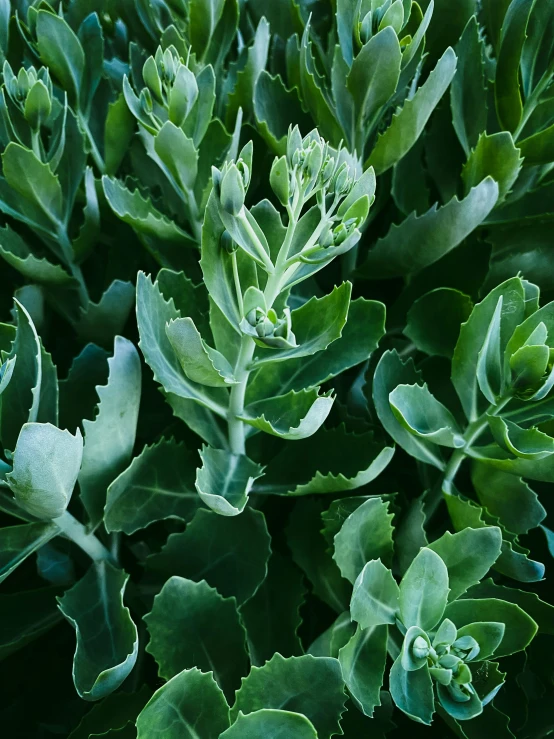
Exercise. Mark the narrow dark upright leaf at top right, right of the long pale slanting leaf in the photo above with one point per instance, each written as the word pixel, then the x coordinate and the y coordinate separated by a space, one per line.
pixel 468 95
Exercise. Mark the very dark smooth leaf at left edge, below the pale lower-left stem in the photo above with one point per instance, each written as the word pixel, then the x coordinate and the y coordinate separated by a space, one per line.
pixel 26 615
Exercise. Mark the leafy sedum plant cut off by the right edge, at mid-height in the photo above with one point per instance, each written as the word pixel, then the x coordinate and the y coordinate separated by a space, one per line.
pixel 501 372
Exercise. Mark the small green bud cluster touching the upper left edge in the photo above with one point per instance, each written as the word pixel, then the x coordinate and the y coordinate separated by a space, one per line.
pixel 31 92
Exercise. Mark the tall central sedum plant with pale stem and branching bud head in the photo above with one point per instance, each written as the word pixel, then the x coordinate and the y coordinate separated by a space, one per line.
pixel 249 363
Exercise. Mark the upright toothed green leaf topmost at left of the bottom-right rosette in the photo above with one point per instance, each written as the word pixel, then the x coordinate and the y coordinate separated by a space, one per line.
pixel 365 535
